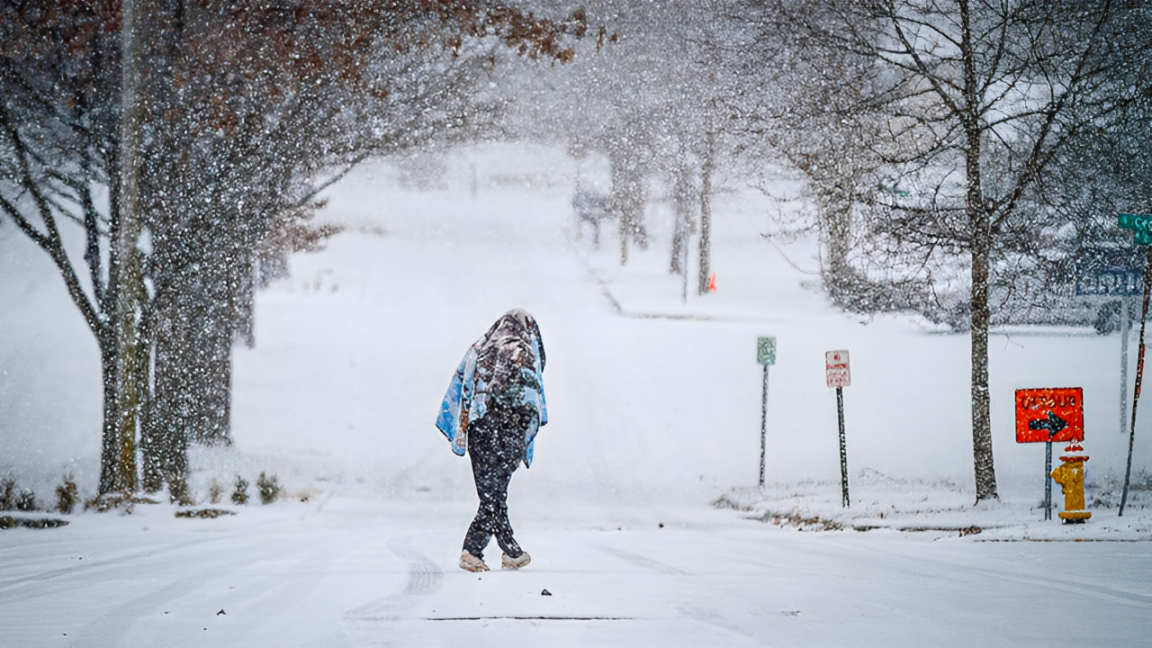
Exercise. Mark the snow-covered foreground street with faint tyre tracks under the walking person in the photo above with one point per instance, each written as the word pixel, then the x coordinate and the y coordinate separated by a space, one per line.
pixel 351 572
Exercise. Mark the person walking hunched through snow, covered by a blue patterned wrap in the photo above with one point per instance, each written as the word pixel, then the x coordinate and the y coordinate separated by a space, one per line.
pixel 492 410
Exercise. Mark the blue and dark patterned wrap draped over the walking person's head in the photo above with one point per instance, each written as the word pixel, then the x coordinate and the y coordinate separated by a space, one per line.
pixel 466 400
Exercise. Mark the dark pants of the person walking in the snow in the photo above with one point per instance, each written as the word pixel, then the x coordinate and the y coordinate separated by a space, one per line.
pixel 496 444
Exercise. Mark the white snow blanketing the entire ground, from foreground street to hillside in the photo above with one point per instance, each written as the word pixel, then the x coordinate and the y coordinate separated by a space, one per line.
pixel 655 406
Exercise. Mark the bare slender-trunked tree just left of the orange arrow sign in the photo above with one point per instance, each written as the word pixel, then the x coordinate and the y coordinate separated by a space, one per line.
pixel 959 109
